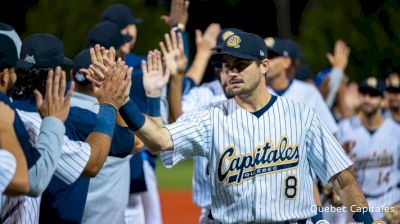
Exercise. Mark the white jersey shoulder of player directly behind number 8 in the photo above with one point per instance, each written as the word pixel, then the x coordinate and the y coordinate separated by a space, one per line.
pixel 309 95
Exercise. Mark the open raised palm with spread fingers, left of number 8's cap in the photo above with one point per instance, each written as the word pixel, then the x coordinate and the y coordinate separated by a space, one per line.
pixel 173 53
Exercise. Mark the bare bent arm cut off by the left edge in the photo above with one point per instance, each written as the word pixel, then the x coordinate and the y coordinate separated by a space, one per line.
pixel 19 183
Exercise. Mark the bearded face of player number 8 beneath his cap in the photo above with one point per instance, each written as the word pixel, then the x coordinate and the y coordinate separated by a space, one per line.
pixel 242 77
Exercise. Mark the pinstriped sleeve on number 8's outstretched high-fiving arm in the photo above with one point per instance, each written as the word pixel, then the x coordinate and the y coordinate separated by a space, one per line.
pixel 191 136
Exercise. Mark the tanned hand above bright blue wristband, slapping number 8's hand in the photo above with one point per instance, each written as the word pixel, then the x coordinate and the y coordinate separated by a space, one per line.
pixel 115 86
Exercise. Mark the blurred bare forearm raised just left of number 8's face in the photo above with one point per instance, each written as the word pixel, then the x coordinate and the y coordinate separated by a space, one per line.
pixel 199 66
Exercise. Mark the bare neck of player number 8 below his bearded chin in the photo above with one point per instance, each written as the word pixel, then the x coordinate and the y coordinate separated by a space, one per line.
pixel 255 100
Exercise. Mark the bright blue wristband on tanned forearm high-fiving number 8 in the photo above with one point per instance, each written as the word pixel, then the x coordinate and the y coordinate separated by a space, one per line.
pixel 105 120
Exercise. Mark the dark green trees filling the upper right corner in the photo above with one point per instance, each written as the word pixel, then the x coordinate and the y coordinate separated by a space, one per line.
pixel 371 34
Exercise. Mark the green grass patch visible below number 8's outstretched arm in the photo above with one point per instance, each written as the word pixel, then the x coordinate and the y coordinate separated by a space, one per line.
pixel 176 178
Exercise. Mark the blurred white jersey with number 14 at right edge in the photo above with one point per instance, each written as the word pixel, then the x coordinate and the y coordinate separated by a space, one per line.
pixel 376 160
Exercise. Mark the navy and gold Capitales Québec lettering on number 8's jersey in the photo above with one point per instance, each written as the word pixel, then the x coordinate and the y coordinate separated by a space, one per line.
pixel 266 159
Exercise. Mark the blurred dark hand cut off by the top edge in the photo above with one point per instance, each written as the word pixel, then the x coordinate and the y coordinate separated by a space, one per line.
pixel 178 13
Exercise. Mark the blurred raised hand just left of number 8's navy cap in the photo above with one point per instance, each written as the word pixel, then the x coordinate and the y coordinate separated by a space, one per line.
pixel 207 41
